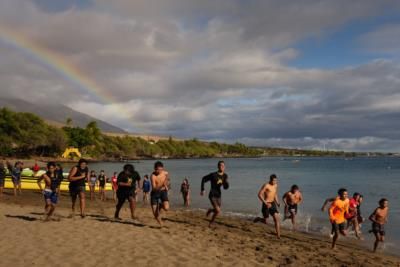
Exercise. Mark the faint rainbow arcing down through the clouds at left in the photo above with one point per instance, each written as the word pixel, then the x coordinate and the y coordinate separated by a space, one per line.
pixel 59 65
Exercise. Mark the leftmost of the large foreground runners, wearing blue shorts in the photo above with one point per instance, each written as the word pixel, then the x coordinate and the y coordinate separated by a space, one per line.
pixel 51 191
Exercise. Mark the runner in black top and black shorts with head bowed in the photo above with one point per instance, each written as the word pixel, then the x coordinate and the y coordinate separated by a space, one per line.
pixel 127 181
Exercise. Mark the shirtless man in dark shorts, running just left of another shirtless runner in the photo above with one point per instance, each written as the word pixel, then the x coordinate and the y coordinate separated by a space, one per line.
pixel 268 195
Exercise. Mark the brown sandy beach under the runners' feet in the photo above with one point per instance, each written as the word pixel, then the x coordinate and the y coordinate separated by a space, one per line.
pixel 185 240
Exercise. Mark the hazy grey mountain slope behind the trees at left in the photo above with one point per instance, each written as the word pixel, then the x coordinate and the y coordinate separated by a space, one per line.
pixel 57 114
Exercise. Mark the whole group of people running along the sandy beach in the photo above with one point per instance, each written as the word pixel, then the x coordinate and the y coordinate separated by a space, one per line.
pixel 343 212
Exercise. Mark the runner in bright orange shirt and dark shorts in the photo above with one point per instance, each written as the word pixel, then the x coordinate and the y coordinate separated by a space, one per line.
pixel 337 213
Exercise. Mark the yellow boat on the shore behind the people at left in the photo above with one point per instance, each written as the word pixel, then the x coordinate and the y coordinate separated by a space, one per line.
pixel 29 181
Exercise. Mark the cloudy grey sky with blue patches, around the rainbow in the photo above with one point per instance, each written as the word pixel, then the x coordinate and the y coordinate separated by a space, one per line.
pixel 304 73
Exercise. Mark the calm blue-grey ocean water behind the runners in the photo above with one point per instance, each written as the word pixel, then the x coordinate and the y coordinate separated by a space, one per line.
pixel 318 179
